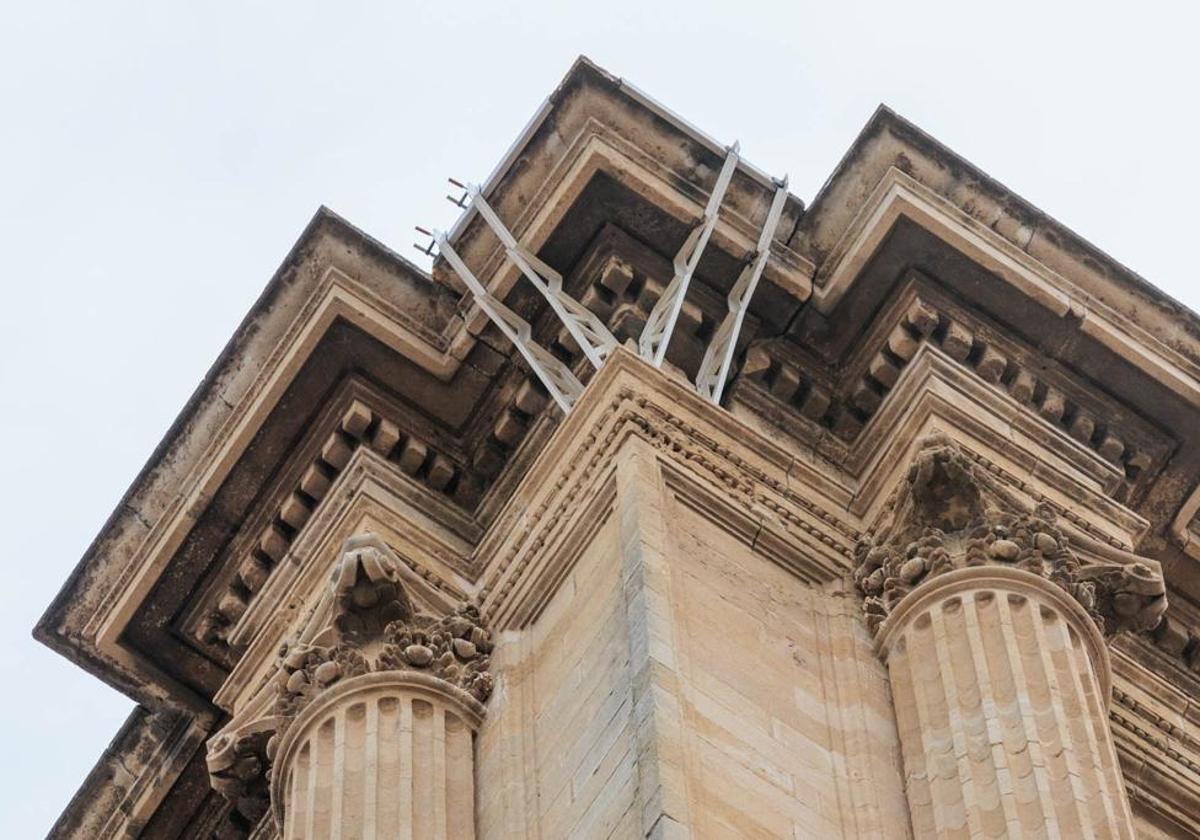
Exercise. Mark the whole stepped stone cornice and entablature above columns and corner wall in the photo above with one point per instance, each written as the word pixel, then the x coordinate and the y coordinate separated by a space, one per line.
pixel 915 296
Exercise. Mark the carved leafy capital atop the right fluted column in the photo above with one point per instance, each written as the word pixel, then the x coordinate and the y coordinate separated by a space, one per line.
pixel 950 514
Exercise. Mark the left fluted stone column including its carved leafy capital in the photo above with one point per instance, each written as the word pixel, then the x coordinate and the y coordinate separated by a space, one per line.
pixel 367 729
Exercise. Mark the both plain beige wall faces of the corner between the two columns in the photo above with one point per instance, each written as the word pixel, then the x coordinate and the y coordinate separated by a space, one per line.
pixel 680 685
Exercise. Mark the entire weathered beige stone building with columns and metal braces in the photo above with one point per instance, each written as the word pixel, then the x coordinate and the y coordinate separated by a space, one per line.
pixel 669 507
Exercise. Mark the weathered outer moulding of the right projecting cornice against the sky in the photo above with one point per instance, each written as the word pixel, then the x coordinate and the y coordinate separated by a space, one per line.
pixel 895 169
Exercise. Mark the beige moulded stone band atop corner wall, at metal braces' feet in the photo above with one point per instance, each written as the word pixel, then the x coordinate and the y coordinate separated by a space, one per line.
pixel 628 400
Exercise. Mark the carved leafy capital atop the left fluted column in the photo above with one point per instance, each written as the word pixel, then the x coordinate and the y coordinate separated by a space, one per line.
pixel 365 625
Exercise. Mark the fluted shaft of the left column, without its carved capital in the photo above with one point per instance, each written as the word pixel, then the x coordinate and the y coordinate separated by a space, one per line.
pixel 379 757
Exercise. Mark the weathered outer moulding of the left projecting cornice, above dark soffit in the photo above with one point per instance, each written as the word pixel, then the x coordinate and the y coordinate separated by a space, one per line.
pixel 151 531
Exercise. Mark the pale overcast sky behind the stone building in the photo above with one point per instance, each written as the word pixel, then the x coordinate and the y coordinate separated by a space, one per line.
pixel 158 160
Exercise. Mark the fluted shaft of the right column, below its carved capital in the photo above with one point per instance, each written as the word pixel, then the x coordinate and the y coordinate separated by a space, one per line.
pixel 1001 686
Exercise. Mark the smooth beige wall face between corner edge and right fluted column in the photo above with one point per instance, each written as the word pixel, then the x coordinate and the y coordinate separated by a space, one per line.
pixel 788 718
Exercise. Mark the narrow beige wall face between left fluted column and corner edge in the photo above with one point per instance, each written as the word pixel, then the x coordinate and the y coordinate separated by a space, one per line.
pixel 556 753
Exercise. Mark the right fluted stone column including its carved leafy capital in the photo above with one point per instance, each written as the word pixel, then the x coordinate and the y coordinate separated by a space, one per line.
pixel 994 634
